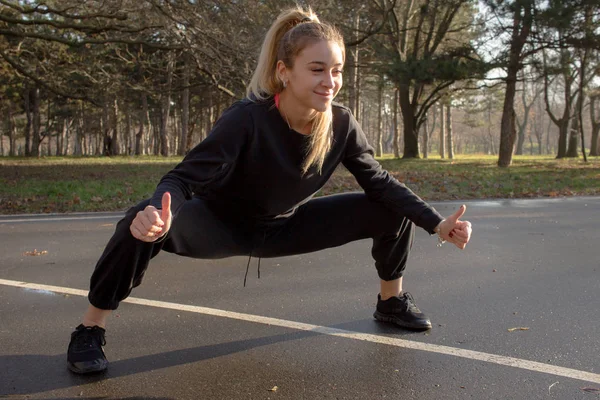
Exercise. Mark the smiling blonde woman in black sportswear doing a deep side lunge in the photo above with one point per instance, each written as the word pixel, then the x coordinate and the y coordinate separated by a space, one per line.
pixel 247 188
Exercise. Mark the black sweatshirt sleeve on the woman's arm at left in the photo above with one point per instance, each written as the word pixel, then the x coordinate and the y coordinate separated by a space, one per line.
pixel 209 162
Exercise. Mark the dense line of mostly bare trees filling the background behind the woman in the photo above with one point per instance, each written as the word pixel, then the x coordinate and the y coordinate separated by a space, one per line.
pixel 152 76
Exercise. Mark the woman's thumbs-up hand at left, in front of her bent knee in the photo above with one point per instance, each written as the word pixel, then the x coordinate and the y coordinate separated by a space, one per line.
pixel 151 224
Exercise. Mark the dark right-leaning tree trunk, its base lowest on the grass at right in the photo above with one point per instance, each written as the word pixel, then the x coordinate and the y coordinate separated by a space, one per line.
pixel 520 32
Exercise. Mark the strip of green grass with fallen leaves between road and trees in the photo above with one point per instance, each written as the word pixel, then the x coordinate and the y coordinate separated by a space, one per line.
pixel 70 184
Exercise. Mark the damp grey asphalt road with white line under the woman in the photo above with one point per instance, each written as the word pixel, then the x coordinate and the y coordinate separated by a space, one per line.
pixel 306 326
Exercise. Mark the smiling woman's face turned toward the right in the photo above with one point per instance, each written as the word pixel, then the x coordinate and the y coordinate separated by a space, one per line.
pixel 316 77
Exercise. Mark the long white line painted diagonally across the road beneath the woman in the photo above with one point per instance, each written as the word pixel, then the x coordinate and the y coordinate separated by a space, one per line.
pixel 408 344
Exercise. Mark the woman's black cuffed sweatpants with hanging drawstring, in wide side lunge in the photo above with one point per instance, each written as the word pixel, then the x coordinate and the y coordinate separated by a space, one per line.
pixel 202 230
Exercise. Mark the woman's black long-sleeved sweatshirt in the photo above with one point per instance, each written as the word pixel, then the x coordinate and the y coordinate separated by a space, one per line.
pixel 252 162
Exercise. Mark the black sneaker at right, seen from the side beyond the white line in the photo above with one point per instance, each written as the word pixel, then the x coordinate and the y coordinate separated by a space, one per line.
pixel 401 310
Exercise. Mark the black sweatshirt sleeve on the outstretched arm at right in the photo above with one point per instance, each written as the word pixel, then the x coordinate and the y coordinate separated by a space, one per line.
pixel 380 186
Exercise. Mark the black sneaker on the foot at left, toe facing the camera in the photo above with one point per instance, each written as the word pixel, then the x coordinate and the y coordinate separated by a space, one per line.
pixel 85 354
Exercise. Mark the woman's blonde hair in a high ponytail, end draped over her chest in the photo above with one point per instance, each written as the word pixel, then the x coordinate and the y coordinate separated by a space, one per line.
pixel 291 32
